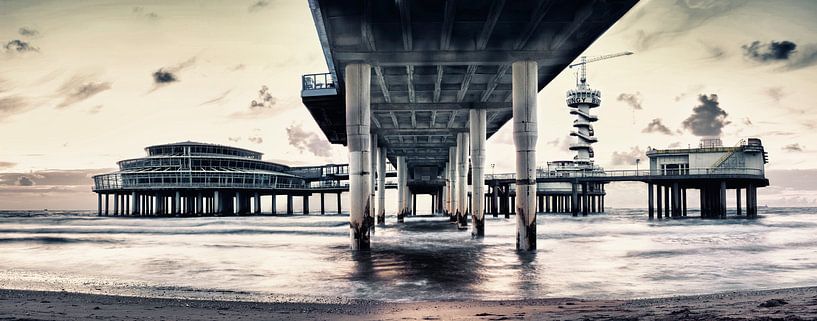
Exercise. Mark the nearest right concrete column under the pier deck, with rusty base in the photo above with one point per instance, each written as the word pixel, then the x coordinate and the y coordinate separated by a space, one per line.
pixel 524 90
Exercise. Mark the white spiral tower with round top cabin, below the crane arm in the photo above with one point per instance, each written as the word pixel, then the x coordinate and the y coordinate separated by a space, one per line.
pixel 581 100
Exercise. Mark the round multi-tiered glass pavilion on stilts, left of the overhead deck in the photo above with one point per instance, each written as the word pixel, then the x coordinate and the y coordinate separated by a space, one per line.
pixel 194 179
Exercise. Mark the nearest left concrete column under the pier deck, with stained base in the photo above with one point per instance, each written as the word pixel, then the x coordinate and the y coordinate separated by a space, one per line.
pixel 358 127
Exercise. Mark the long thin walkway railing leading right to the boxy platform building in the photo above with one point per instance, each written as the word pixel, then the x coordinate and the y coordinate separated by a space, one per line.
pixel 645 173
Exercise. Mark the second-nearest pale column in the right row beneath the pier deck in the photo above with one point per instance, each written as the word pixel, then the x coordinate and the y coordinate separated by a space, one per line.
pixel 477 136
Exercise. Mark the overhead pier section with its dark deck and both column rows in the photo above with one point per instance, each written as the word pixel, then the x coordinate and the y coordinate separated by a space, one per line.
pixel 425 84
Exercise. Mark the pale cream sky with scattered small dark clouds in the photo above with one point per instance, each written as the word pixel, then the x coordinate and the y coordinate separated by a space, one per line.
pixel 85 84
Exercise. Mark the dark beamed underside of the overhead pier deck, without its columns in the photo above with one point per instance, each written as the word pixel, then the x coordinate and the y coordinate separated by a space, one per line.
pixel 433 60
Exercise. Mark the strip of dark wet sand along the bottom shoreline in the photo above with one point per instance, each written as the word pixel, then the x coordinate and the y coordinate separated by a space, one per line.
pixel 782 304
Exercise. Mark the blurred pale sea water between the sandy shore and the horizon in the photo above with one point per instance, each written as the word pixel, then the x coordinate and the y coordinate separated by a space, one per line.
pixel 616 255
